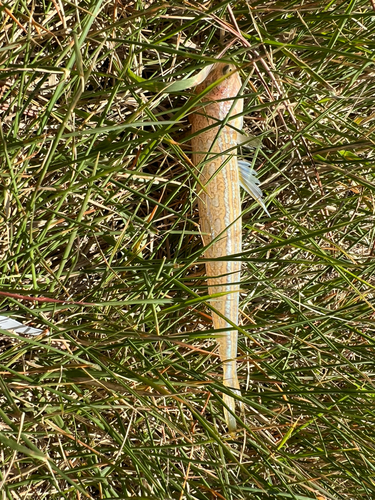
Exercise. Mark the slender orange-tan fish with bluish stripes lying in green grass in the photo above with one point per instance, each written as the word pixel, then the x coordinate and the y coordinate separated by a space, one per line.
pixel 216 126
